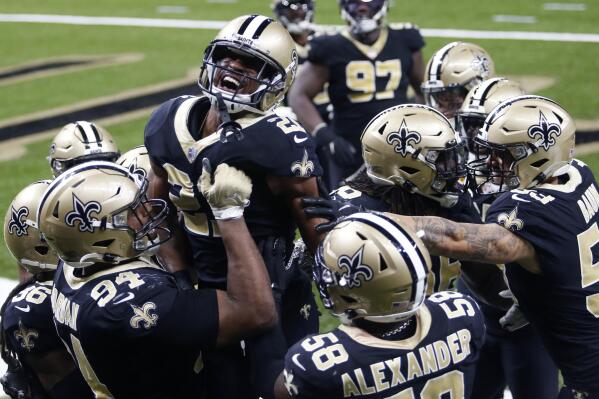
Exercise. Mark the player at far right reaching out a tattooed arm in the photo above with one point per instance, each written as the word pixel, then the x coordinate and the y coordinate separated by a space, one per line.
pixel 543 227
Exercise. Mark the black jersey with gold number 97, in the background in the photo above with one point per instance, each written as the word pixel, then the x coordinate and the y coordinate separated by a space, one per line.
pixel 364 80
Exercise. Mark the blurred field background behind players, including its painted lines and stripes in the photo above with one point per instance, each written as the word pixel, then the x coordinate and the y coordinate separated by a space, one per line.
pixel 113 61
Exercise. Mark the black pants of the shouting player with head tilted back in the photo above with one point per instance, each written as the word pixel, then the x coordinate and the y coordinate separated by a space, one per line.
pixel 249 369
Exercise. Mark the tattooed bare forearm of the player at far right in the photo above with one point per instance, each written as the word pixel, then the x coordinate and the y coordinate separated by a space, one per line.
pixel 488 243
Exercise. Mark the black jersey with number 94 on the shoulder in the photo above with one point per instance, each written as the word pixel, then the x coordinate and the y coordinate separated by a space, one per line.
pixel 133 332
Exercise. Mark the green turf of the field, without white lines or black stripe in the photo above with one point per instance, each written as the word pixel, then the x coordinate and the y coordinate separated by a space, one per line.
pixel 150 56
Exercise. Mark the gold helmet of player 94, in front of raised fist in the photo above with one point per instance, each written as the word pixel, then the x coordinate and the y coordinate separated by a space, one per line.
pixel 97 212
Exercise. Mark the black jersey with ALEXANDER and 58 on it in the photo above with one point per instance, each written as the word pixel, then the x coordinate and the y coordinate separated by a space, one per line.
pixel 349 362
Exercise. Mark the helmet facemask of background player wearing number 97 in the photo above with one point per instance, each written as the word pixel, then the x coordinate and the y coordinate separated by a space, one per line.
pixel 362 23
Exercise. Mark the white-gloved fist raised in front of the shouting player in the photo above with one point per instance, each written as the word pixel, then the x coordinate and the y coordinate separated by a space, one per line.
pixel 227 191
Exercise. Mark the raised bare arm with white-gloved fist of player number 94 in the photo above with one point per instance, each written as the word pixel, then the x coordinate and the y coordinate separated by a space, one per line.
pixel 247 306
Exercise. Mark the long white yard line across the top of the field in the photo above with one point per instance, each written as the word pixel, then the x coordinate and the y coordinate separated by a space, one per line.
pixel 199 24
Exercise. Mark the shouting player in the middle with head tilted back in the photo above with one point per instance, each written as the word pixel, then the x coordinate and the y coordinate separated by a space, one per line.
pixel 247 70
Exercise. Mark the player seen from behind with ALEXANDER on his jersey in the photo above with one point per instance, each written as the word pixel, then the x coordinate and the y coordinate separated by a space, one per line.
pixel 393 343
